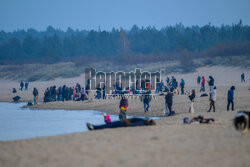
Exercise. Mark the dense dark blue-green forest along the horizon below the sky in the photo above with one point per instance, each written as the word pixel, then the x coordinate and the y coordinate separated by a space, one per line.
pixel 137 45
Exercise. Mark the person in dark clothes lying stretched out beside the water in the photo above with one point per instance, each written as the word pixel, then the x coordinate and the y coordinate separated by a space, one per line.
pixel 124 123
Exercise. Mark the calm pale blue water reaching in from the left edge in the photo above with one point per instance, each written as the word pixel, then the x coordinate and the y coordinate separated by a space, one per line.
pixel 22 123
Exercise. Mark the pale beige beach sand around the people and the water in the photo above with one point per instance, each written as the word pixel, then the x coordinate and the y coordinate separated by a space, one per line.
pixel 169 143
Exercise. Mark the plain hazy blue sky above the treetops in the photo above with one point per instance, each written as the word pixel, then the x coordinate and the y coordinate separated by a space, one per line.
pixel 90 14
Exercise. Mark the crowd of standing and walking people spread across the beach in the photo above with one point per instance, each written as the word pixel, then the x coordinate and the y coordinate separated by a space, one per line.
pixel 143 88
